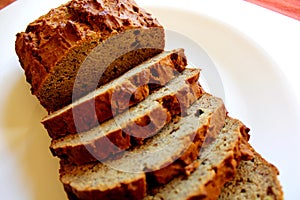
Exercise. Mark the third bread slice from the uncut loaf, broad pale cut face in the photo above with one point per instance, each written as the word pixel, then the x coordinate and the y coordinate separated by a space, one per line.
pixel 173 146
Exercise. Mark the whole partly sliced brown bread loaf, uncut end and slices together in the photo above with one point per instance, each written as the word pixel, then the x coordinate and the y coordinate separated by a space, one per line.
pixel 147 129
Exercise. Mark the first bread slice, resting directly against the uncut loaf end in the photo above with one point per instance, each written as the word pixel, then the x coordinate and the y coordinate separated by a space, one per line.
pixel 116 96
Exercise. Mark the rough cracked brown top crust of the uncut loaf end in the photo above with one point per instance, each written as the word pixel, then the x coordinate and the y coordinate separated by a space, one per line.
pixel 72 23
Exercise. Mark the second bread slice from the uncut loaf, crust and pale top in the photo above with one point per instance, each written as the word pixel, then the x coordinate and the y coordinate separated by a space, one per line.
pixel 132 126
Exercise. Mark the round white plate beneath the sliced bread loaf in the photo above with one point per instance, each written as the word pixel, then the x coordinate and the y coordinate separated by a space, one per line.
pixel 253 84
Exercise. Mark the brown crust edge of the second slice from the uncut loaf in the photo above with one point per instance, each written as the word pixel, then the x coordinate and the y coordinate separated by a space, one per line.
pixel 117 140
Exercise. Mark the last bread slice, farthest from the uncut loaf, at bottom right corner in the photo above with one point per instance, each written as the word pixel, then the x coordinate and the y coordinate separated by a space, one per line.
pixel 254 179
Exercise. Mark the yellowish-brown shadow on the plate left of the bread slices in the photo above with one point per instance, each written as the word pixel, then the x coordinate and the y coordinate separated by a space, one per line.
pixel 29 143
